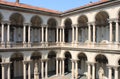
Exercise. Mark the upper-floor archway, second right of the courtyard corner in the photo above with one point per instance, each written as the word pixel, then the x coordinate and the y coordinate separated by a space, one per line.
pixel 82 28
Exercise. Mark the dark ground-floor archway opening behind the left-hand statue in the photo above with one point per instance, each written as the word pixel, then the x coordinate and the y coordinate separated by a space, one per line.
pixel 35 57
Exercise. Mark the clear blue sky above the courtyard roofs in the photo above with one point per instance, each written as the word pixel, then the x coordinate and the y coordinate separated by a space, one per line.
pixel 59 5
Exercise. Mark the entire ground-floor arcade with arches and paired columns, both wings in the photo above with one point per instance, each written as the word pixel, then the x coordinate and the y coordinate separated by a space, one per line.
pixel 52 63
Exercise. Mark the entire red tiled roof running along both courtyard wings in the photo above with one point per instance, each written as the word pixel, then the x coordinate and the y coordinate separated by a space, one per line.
pixel 48 10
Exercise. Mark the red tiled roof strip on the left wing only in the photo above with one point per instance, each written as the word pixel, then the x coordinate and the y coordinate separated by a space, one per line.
pixel 28 6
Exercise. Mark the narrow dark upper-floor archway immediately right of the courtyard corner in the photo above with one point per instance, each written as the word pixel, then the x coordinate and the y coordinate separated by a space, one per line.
pixel 68 30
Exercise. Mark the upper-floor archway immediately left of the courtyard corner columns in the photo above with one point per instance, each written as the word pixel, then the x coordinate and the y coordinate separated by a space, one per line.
pixel 52 25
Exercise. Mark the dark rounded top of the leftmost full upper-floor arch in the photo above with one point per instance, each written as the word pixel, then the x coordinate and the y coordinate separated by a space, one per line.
pixel 17 19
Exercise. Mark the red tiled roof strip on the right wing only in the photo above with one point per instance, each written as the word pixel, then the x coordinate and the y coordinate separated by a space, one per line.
pixel 87 5
